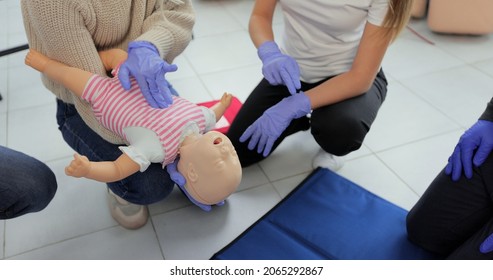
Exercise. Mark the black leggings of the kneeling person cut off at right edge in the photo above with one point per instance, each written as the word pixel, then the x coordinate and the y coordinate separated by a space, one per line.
pixel 452 218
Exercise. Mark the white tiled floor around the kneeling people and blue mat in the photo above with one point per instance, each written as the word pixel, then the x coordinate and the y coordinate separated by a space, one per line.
pixel 436 91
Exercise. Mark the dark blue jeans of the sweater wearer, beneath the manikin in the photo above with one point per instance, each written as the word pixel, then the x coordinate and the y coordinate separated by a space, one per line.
pixel 141 188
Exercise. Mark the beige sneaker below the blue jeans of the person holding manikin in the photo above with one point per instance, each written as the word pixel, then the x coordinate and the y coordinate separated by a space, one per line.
pixel 128 215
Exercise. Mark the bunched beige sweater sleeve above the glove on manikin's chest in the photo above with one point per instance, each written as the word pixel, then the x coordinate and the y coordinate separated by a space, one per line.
pixel 169 27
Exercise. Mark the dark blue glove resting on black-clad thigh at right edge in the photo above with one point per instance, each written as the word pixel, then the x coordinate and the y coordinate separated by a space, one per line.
pixel 477 141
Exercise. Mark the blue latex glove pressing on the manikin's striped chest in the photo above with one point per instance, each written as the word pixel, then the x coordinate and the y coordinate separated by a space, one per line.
pixel 148 68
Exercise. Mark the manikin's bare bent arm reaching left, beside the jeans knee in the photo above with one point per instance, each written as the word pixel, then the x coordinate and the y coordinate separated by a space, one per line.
pixel 103 171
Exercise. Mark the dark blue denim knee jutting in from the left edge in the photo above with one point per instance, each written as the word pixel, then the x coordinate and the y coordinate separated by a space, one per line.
pixel 26 184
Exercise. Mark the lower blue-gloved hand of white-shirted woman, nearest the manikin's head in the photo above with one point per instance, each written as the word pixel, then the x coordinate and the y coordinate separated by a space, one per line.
pixel 266 129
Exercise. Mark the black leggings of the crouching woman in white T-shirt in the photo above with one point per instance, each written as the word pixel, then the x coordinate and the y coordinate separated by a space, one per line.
pixel 338 128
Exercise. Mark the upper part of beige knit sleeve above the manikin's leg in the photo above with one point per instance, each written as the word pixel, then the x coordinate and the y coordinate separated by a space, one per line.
pixel 61 29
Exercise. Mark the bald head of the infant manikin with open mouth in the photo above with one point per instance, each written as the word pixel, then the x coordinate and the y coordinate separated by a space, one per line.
pixel 210 166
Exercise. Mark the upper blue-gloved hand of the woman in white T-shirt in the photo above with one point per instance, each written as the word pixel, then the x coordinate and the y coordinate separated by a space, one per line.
pixel 278 68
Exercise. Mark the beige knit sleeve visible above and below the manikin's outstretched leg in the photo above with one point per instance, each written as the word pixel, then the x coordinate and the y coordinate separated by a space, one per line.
pixel 61 29
